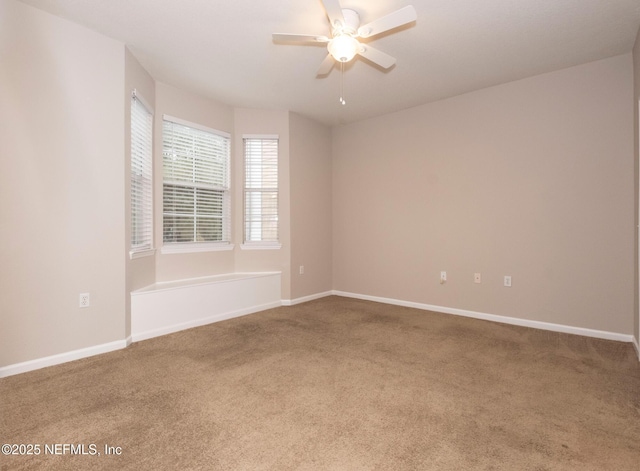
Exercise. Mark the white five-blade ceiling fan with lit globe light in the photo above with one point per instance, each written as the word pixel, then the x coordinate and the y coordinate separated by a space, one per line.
pixel 343 44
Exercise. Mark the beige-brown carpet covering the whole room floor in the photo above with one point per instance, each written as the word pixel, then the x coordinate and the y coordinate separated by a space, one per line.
pixel 336 384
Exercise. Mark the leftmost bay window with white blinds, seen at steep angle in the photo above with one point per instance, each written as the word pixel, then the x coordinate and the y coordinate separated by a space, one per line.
pixel 141 177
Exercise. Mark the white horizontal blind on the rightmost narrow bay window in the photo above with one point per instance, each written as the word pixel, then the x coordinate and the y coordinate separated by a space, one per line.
pixel 261 190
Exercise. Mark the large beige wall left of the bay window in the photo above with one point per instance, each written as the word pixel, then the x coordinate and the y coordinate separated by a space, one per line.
pixel 61 186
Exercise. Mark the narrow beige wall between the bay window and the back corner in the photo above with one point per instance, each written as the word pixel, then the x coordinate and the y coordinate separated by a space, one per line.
pixel 311 242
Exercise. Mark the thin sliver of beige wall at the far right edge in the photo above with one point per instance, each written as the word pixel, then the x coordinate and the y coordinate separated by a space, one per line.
pixel 636 173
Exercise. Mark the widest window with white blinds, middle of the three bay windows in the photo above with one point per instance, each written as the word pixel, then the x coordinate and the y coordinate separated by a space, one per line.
pixel 195 195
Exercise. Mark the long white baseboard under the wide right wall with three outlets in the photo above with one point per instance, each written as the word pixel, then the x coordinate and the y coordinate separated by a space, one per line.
pixel 601 334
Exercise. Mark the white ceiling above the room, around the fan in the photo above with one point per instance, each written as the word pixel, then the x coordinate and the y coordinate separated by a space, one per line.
pixel 223 49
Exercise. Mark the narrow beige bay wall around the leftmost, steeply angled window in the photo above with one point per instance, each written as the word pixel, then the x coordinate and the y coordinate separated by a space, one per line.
pixel 139 272
